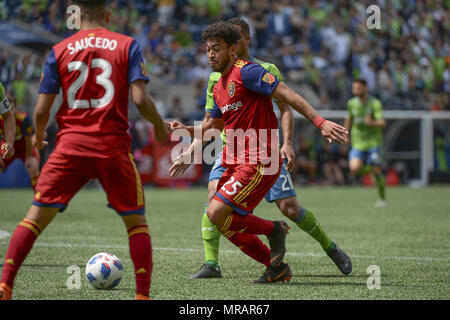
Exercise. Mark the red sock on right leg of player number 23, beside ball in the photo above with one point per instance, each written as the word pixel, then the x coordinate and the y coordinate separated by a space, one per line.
pixel 141 255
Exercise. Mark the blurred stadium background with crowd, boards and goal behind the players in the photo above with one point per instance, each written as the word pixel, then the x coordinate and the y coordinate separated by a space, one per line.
pixel 319 46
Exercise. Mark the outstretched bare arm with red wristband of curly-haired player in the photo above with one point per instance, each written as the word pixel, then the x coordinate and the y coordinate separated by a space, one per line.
pixel 330 130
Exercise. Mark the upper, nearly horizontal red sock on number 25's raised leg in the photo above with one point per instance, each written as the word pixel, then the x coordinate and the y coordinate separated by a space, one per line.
pixel 248 224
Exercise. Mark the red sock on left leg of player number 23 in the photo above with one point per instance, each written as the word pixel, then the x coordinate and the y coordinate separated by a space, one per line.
pixel 22 241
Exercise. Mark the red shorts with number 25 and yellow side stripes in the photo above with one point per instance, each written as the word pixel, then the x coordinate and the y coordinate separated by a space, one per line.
pixel 242 187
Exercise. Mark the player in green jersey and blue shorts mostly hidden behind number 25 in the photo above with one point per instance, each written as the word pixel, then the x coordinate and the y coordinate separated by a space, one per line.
pixel 282 192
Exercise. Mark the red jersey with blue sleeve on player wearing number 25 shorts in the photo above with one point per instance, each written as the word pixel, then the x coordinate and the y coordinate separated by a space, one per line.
pixel 242 98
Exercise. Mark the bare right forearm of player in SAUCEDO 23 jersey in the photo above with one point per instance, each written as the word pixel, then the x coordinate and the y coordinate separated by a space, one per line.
pixel 148 110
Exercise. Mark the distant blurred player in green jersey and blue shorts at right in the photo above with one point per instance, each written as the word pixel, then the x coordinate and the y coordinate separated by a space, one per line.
pixel 365 123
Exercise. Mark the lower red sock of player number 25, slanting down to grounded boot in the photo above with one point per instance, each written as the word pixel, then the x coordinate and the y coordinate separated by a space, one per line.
pixel 252 246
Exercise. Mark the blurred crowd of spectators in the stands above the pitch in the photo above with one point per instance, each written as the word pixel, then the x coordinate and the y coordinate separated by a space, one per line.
pixel 322 44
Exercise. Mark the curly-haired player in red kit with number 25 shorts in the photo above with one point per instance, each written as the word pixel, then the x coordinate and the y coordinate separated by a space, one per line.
pixel 243 98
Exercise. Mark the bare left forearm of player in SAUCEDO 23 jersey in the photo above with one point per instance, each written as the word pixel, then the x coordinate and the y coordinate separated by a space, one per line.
pixel 40 118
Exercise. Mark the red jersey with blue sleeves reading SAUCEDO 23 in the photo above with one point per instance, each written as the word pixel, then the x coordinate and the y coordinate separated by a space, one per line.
pixel 94 69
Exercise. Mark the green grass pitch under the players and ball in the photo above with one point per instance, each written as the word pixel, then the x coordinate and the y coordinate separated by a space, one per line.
pixel 408 240
